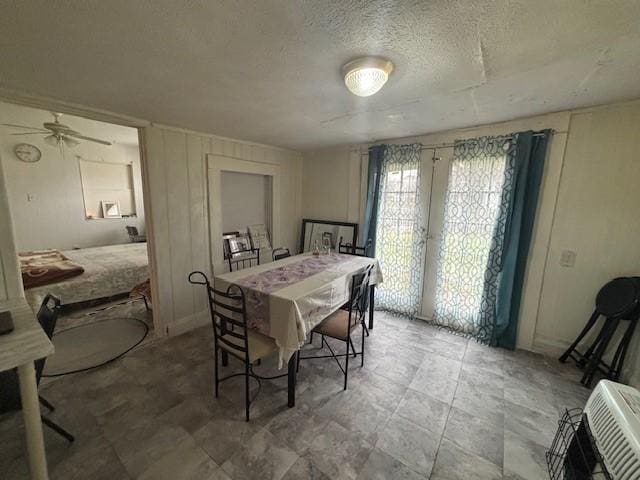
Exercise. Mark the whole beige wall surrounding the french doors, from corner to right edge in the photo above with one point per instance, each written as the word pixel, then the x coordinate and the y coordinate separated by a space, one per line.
pixel 589 204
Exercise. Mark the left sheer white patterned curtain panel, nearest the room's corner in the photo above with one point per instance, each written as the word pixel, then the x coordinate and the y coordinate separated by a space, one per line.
pixel 399 232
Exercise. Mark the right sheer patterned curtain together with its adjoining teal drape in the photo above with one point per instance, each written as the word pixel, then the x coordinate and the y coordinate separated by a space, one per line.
pixel 489 216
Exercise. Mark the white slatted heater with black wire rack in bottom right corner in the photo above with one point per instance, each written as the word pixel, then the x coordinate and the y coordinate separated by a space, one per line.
pixel 602 441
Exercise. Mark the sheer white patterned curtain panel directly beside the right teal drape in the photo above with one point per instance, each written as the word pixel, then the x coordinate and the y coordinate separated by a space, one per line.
pixel 479 188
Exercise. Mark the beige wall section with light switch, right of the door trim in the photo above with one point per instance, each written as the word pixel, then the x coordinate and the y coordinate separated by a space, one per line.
pixel 596 217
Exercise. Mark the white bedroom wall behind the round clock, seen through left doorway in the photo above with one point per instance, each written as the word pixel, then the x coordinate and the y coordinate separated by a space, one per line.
pixel 46 197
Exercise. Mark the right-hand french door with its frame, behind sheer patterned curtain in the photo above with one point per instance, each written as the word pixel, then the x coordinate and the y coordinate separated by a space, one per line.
pixel 465 202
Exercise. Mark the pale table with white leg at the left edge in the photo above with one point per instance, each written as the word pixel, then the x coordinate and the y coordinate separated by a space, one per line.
pixel 21 348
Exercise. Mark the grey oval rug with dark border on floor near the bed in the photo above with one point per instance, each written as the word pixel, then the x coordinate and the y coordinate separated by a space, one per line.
pixel 93 344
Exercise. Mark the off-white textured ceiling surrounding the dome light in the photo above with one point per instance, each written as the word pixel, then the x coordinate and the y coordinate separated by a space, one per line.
pixel 269 71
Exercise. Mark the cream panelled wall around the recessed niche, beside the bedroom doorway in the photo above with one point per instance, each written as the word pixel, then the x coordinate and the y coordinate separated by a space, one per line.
pixel 176 169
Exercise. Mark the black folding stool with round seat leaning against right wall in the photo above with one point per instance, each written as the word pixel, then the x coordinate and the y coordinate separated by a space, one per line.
pixel 617 301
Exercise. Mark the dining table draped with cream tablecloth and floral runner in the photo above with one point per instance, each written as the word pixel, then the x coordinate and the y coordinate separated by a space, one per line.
pixel 287 298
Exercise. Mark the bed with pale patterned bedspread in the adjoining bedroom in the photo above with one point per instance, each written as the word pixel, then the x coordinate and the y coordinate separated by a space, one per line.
pixel 106 271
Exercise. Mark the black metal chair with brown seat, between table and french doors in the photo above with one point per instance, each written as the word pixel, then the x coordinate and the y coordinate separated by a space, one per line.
pixel 341 324
